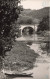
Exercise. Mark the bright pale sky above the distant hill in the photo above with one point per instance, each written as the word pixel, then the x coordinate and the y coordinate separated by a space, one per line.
pixel 35 4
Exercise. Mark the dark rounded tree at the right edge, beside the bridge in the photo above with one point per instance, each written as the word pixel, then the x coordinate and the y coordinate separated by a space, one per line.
pixel 44 24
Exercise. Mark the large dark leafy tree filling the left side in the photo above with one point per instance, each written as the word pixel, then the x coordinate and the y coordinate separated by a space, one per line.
pixel 9 12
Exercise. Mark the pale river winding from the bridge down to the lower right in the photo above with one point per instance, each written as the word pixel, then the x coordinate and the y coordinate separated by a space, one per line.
pixel 42 64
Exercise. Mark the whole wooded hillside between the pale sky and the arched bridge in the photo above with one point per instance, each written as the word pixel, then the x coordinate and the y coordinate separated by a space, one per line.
pixel 34 15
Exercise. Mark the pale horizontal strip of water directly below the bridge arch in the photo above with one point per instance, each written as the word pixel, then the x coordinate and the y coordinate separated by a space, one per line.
pixel 33 37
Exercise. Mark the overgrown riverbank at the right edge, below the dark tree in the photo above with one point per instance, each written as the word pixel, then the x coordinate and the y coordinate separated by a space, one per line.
pixel 46 35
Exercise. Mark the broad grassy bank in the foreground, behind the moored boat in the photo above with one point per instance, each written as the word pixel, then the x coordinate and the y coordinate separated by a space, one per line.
pixel 20 57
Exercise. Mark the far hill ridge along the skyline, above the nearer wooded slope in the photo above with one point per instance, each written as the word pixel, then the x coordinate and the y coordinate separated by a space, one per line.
pixel 36 13
